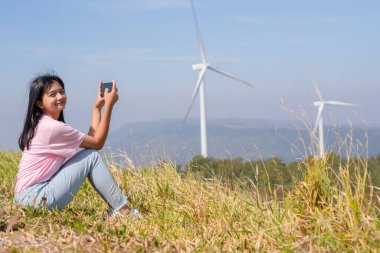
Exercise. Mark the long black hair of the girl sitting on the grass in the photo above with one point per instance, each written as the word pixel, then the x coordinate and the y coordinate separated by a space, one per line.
pixel 37 87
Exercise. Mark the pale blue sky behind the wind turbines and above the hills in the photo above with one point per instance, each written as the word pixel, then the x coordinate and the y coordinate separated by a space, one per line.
pixel 149 46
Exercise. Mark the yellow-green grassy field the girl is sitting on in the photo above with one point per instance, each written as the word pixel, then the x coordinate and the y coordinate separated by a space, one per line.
pixel 324 211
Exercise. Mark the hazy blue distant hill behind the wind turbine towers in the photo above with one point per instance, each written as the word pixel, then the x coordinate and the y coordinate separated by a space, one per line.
pixel 146 142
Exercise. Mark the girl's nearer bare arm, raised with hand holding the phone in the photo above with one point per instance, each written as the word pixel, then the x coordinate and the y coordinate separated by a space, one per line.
pixel 100 130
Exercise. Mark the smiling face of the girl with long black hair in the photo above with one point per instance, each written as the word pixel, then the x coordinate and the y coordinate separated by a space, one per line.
pixel 53 101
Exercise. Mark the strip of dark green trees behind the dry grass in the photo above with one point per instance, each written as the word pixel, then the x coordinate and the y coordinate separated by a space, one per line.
pixel 274 171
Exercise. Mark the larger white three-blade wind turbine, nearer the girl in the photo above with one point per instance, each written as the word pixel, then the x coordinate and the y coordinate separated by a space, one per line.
pixel 199 87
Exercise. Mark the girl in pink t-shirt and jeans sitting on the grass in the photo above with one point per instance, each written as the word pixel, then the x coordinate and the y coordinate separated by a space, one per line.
pixel 51 170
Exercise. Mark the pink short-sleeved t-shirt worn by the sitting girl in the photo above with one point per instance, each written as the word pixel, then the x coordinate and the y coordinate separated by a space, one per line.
pixel 52 144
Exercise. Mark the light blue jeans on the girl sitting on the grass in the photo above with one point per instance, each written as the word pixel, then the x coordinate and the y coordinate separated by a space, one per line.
pixel 61 189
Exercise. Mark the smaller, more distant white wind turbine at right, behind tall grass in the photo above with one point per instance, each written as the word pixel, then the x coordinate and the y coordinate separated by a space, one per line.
pixel 319 120
